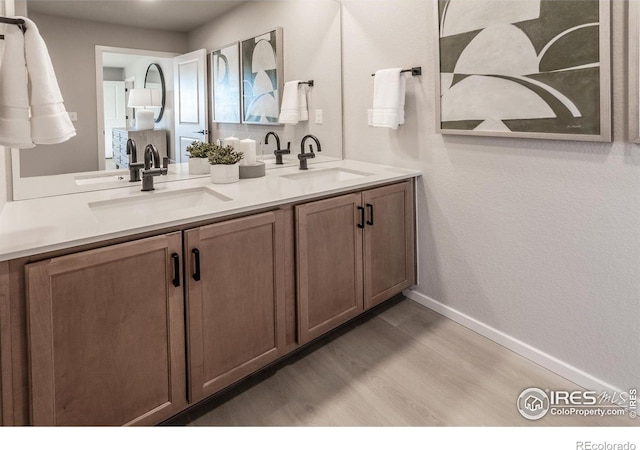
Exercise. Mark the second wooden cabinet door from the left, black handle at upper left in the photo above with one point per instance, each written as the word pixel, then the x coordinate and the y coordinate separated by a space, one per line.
pixel 235 300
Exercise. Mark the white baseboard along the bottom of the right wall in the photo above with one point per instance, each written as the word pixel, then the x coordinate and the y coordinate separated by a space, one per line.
pixel 541 358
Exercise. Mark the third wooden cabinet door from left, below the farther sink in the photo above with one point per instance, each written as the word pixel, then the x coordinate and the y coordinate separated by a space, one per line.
pixel 329 256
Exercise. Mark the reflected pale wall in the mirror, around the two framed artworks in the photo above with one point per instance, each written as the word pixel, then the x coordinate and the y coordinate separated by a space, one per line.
pixel 311 35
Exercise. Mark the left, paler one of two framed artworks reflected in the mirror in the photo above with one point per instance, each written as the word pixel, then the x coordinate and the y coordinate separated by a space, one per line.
pixel 225 83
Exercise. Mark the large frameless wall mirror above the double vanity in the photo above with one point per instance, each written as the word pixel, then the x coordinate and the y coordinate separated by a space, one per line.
pixel 76 31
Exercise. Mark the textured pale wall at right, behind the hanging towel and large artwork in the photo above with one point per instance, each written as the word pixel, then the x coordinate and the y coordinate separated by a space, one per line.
pixel 537 239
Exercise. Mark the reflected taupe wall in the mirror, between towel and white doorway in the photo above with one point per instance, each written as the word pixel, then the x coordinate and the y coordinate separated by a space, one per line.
pixel 71 44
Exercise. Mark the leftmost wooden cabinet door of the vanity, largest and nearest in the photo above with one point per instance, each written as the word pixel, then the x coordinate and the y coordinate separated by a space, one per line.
pixel 106 335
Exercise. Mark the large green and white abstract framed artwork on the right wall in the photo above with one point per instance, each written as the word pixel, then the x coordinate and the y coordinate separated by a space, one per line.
pixel 526 68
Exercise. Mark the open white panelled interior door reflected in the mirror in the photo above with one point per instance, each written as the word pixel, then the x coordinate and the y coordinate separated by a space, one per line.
pixel 190 91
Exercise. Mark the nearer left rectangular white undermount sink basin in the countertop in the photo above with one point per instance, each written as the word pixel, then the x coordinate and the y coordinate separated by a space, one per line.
pixel 156 205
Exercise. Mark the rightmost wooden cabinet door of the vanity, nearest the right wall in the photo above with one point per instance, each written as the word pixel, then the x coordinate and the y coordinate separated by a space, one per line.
pixel 389 242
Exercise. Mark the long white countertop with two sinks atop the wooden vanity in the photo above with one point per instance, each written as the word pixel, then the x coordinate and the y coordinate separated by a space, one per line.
pixel 29 227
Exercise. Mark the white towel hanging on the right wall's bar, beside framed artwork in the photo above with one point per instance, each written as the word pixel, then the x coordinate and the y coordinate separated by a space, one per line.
pixel 388 99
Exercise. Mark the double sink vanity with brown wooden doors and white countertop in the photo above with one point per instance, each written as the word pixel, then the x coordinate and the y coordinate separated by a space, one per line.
pixel 122 307
